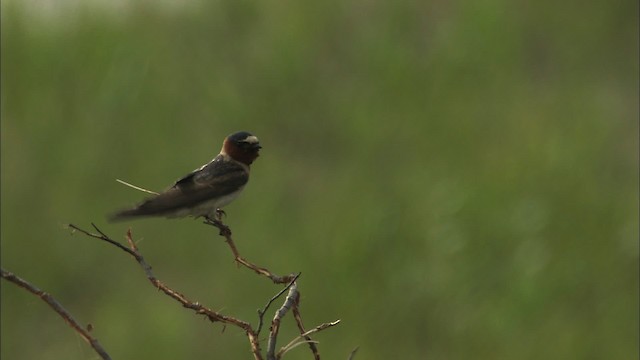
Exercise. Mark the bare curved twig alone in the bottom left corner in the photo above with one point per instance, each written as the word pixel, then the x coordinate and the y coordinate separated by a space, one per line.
pixel 57 307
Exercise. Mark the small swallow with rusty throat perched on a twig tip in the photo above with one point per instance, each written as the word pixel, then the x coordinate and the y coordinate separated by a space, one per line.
pixel 204 191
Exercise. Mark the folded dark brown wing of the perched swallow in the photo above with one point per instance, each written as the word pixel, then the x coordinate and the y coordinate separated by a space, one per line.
pixel 216 179
